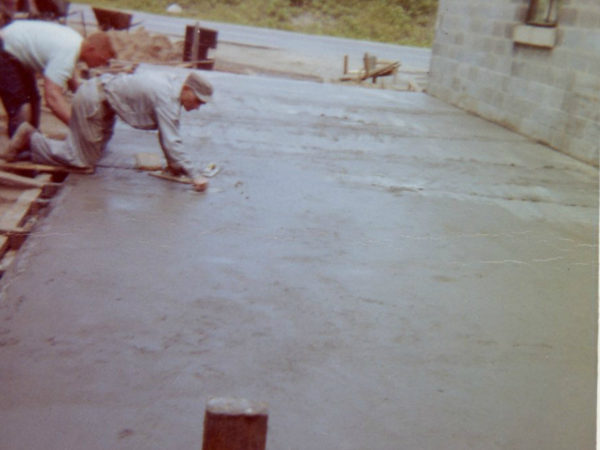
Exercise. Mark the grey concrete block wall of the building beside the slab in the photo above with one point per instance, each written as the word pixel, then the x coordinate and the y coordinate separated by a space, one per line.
pixel 549 94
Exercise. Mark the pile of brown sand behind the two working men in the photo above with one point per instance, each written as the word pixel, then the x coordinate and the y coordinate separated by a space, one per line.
pixel 139 45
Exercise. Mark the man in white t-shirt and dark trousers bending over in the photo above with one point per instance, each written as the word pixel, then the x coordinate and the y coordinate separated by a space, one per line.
pixel 52 50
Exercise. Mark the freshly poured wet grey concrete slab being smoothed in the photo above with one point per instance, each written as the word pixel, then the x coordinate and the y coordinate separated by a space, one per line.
pixel 384 270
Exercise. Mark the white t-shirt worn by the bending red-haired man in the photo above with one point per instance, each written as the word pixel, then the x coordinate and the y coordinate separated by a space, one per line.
pixel 45 47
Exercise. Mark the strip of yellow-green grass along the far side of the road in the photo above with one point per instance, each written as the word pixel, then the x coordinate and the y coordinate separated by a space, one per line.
pixel 403 22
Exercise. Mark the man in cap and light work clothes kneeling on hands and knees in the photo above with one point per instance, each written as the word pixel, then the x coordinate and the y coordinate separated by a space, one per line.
pixel 146 100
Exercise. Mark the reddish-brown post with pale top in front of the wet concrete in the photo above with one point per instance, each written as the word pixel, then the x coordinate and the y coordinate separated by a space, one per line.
pixel 235 424
